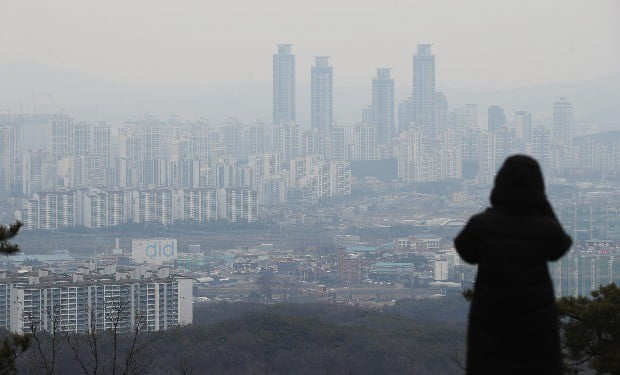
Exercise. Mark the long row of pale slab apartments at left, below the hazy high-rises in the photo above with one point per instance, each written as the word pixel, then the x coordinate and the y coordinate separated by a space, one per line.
pixel 98 208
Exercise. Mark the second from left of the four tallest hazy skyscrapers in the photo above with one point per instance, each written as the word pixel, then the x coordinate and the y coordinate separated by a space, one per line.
pixel 322 95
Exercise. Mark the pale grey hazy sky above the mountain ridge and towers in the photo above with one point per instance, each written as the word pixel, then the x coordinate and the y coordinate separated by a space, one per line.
pixel 478 44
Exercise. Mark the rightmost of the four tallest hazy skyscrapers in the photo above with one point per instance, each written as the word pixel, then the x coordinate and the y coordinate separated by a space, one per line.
pixel 424 89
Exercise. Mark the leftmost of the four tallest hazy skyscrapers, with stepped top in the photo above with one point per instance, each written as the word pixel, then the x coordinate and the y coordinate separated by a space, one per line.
pixel 283 85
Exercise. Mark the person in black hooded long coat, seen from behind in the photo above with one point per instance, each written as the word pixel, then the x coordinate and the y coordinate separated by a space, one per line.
pixel 513 327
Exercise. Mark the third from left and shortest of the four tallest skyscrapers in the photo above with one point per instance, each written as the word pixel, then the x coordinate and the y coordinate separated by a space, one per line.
pixel 383 106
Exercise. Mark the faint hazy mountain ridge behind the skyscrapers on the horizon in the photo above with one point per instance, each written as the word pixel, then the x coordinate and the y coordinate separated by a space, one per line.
pixel 24 86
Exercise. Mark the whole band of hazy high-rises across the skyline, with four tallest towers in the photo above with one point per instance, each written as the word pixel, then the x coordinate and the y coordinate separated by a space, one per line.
pixel 146 169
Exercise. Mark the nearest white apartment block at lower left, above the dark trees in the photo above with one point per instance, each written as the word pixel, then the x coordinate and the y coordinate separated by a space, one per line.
pixel 37 301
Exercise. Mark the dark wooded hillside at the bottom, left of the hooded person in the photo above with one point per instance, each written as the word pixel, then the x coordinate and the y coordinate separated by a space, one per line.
pixel 245 338
